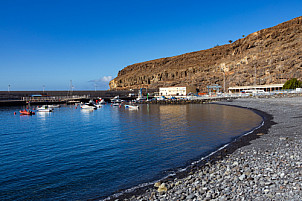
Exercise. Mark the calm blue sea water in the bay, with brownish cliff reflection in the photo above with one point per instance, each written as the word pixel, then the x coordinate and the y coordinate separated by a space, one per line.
pixel 72 154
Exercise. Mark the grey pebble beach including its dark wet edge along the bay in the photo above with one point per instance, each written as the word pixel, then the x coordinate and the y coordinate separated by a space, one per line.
pixel 263 165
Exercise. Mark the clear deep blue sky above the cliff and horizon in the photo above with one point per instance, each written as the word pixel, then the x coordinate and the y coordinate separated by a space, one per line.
pixel 47 43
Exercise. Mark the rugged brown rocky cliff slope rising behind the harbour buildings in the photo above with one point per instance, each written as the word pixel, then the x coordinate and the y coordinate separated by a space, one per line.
pixel 275 54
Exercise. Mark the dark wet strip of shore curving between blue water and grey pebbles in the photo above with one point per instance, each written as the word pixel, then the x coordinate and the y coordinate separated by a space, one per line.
pixel 146 192
